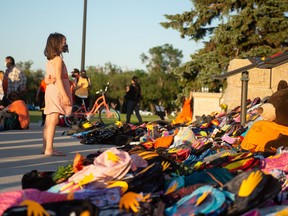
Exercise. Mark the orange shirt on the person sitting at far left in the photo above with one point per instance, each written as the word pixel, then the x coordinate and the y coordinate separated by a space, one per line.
pixel 22 111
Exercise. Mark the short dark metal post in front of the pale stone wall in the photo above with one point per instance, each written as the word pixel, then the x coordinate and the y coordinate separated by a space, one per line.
pixel 244 90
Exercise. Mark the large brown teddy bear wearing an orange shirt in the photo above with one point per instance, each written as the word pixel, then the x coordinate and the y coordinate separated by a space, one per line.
pixel 269 134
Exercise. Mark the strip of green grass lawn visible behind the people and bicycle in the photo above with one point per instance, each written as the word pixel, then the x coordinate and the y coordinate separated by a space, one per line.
pixel 35 116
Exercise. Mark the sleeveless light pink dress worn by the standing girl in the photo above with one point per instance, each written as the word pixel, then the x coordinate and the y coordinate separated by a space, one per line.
pixel 52 96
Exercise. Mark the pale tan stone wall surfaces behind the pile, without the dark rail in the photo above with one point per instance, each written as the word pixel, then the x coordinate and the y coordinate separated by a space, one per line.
pixel 262 83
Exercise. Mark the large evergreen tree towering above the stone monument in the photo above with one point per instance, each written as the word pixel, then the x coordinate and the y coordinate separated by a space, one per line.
pixel 229 29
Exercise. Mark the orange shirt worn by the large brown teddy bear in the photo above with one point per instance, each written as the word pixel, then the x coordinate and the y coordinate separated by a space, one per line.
pixel 260 133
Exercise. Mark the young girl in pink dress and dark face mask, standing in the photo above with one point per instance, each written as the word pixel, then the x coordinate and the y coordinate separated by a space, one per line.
pixel 58 97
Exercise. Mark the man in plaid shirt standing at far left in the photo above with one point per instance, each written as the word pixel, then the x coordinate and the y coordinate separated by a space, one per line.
pixel 14 78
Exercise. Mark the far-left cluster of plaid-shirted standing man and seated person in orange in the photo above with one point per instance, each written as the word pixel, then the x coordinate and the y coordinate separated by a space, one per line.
pixel 14 113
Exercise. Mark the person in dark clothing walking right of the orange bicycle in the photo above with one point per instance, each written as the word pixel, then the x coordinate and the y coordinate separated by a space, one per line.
pixel 133 96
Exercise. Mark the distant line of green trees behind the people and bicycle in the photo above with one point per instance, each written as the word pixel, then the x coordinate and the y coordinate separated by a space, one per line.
pixel 158 83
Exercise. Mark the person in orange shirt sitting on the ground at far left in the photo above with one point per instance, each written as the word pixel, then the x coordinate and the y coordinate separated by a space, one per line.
pixel 15 115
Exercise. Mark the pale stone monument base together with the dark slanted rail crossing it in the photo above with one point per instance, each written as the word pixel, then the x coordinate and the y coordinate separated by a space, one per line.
pixel 263 78
